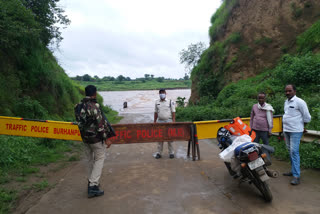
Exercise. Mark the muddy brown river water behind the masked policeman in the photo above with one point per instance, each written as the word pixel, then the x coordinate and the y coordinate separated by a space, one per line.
pixel 139 102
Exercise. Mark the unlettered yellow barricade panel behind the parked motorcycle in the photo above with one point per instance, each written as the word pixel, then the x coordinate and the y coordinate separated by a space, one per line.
pixel 208 129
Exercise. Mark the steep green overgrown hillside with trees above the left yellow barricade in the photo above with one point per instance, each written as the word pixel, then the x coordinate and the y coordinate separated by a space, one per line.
pixel 32 84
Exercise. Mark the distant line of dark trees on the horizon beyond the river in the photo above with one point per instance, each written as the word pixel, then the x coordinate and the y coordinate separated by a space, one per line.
pixel 121 78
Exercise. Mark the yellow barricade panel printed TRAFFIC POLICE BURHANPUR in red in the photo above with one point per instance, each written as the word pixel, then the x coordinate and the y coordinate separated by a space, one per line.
pixel 38 128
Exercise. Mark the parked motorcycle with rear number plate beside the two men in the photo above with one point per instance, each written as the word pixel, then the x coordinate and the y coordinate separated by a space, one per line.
pixel 249 162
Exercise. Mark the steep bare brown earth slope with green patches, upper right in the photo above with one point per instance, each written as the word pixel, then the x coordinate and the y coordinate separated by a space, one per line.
pixel 262 32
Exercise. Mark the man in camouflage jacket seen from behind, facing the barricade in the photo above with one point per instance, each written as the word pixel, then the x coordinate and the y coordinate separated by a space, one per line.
pixel 94 129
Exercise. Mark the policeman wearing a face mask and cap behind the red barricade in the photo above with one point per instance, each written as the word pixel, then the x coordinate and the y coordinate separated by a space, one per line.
pixel 164 112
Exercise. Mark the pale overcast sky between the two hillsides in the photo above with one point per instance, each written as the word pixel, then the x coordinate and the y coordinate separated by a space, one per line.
pixel 132 37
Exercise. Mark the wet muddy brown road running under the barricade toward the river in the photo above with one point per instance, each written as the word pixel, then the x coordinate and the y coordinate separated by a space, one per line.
pixel 135 182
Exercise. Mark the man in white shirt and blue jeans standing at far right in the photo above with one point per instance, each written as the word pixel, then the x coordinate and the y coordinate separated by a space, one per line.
pixel 296 116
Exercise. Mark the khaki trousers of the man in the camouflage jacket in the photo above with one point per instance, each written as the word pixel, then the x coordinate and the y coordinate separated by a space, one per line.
pixel 95 154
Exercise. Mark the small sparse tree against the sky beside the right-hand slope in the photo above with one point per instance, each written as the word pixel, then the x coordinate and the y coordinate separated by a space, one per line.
pixel 191 56
